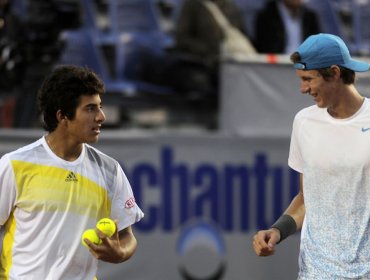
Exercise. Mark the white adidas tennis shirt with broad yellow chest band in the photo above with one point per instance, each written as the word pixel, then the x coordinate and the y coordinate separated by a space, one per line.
pixel 45 205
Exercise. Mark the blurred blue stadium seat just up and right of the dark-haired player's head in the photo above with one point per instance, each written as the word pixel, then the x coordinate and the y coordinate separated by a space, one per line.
pixel 136 35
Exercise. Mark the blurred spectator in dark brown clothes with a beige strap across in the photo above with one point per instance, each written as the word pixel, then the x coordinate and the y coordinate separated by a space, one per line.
pixel 202 30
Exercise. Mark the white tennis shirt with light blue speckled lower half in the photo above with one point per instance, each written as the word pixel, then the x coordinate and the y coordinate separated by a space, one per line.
pixel 334 157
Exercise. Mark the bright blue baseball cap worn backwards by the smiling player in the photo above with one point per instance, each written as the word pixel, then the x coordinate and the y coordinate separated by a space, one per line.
pixel 324 50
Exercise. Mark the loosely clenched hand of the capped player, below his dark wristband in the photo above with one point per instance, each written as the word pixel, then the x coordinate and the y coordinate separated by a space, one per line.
pixel 264 242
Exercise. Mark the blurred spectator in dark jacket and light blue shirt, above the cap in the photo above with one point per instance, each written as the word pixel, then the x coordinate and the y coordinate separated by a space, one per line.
pixel 282 25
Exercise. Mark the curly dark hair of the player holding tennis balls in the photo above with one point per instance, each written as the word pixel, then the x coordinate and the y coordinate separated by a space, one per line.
pixel 62 89
